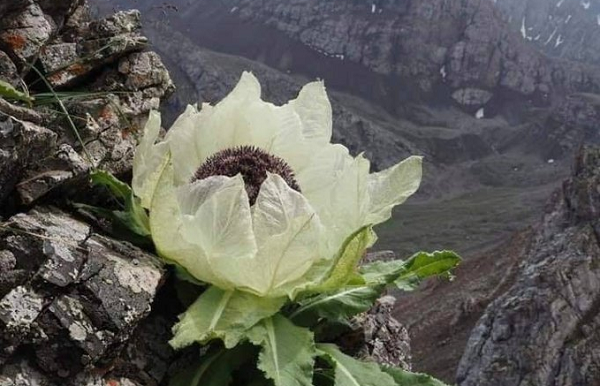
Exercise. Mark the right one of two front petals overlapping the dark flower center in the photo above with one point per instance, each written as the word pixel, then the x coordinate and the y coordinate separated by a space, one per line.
pixel 288 233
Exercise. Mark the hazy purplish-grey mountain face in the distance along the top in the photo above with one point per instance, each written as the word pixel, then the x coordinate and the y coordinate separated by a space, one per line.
pixel 391 51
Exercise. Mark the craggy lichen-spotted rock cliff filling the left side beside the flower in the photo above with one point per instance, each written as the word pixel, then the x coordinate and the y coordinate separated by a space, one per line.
pixel 74 303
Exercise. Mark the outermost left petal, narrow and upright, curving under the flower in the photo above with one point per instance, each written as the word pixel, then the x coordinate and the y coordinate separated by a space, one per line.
pixel 166 226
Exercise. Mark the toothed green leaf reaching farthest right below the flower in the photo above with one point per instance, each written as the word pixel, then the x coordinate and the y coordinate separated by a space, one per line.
pixel 409 274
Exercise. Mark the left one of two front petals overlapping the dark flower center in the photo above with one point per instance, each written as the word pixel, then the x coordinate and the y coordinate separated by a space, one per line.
pixel 222 227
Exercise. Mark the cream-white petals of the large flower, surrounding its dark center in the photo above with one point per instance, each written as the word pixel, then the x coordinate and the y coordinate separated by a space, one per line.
pixel 287 238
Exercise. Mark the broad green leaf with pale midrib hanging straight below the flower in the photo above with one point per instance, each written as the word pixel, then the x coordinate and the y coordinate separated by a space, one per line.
pixel 288 351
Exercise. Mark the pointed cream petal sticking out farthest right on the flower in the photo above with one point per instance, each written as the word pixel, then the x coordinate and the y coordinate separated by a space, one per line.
pixel 392 187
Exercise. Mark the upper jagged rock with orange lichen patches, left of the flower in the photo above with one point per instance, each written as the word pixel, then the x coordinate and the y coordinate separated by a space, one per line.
pixel 130 84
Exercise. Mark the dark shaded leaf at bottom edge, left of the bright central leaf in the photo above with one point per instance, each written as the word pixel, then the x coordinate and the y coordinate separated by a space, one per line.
pixel 214 368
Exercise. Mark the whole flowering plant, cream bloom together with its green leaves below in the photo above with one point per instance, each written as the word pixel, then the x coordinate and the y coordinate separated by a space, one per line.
pixel 252 201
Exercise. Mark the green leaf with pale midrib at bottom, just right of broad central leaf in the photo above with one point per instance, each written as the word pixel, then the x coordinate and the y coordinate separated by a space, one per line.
pixel 352 372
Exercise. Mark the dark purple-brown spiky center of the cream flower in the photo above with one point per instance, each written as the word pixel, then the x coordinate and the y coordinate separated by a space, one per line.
pixel 252 163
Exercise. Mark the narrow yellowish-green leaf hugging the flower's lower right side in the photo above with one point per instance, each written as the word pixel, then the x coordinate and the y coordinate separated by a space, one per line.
pixel 346 262
